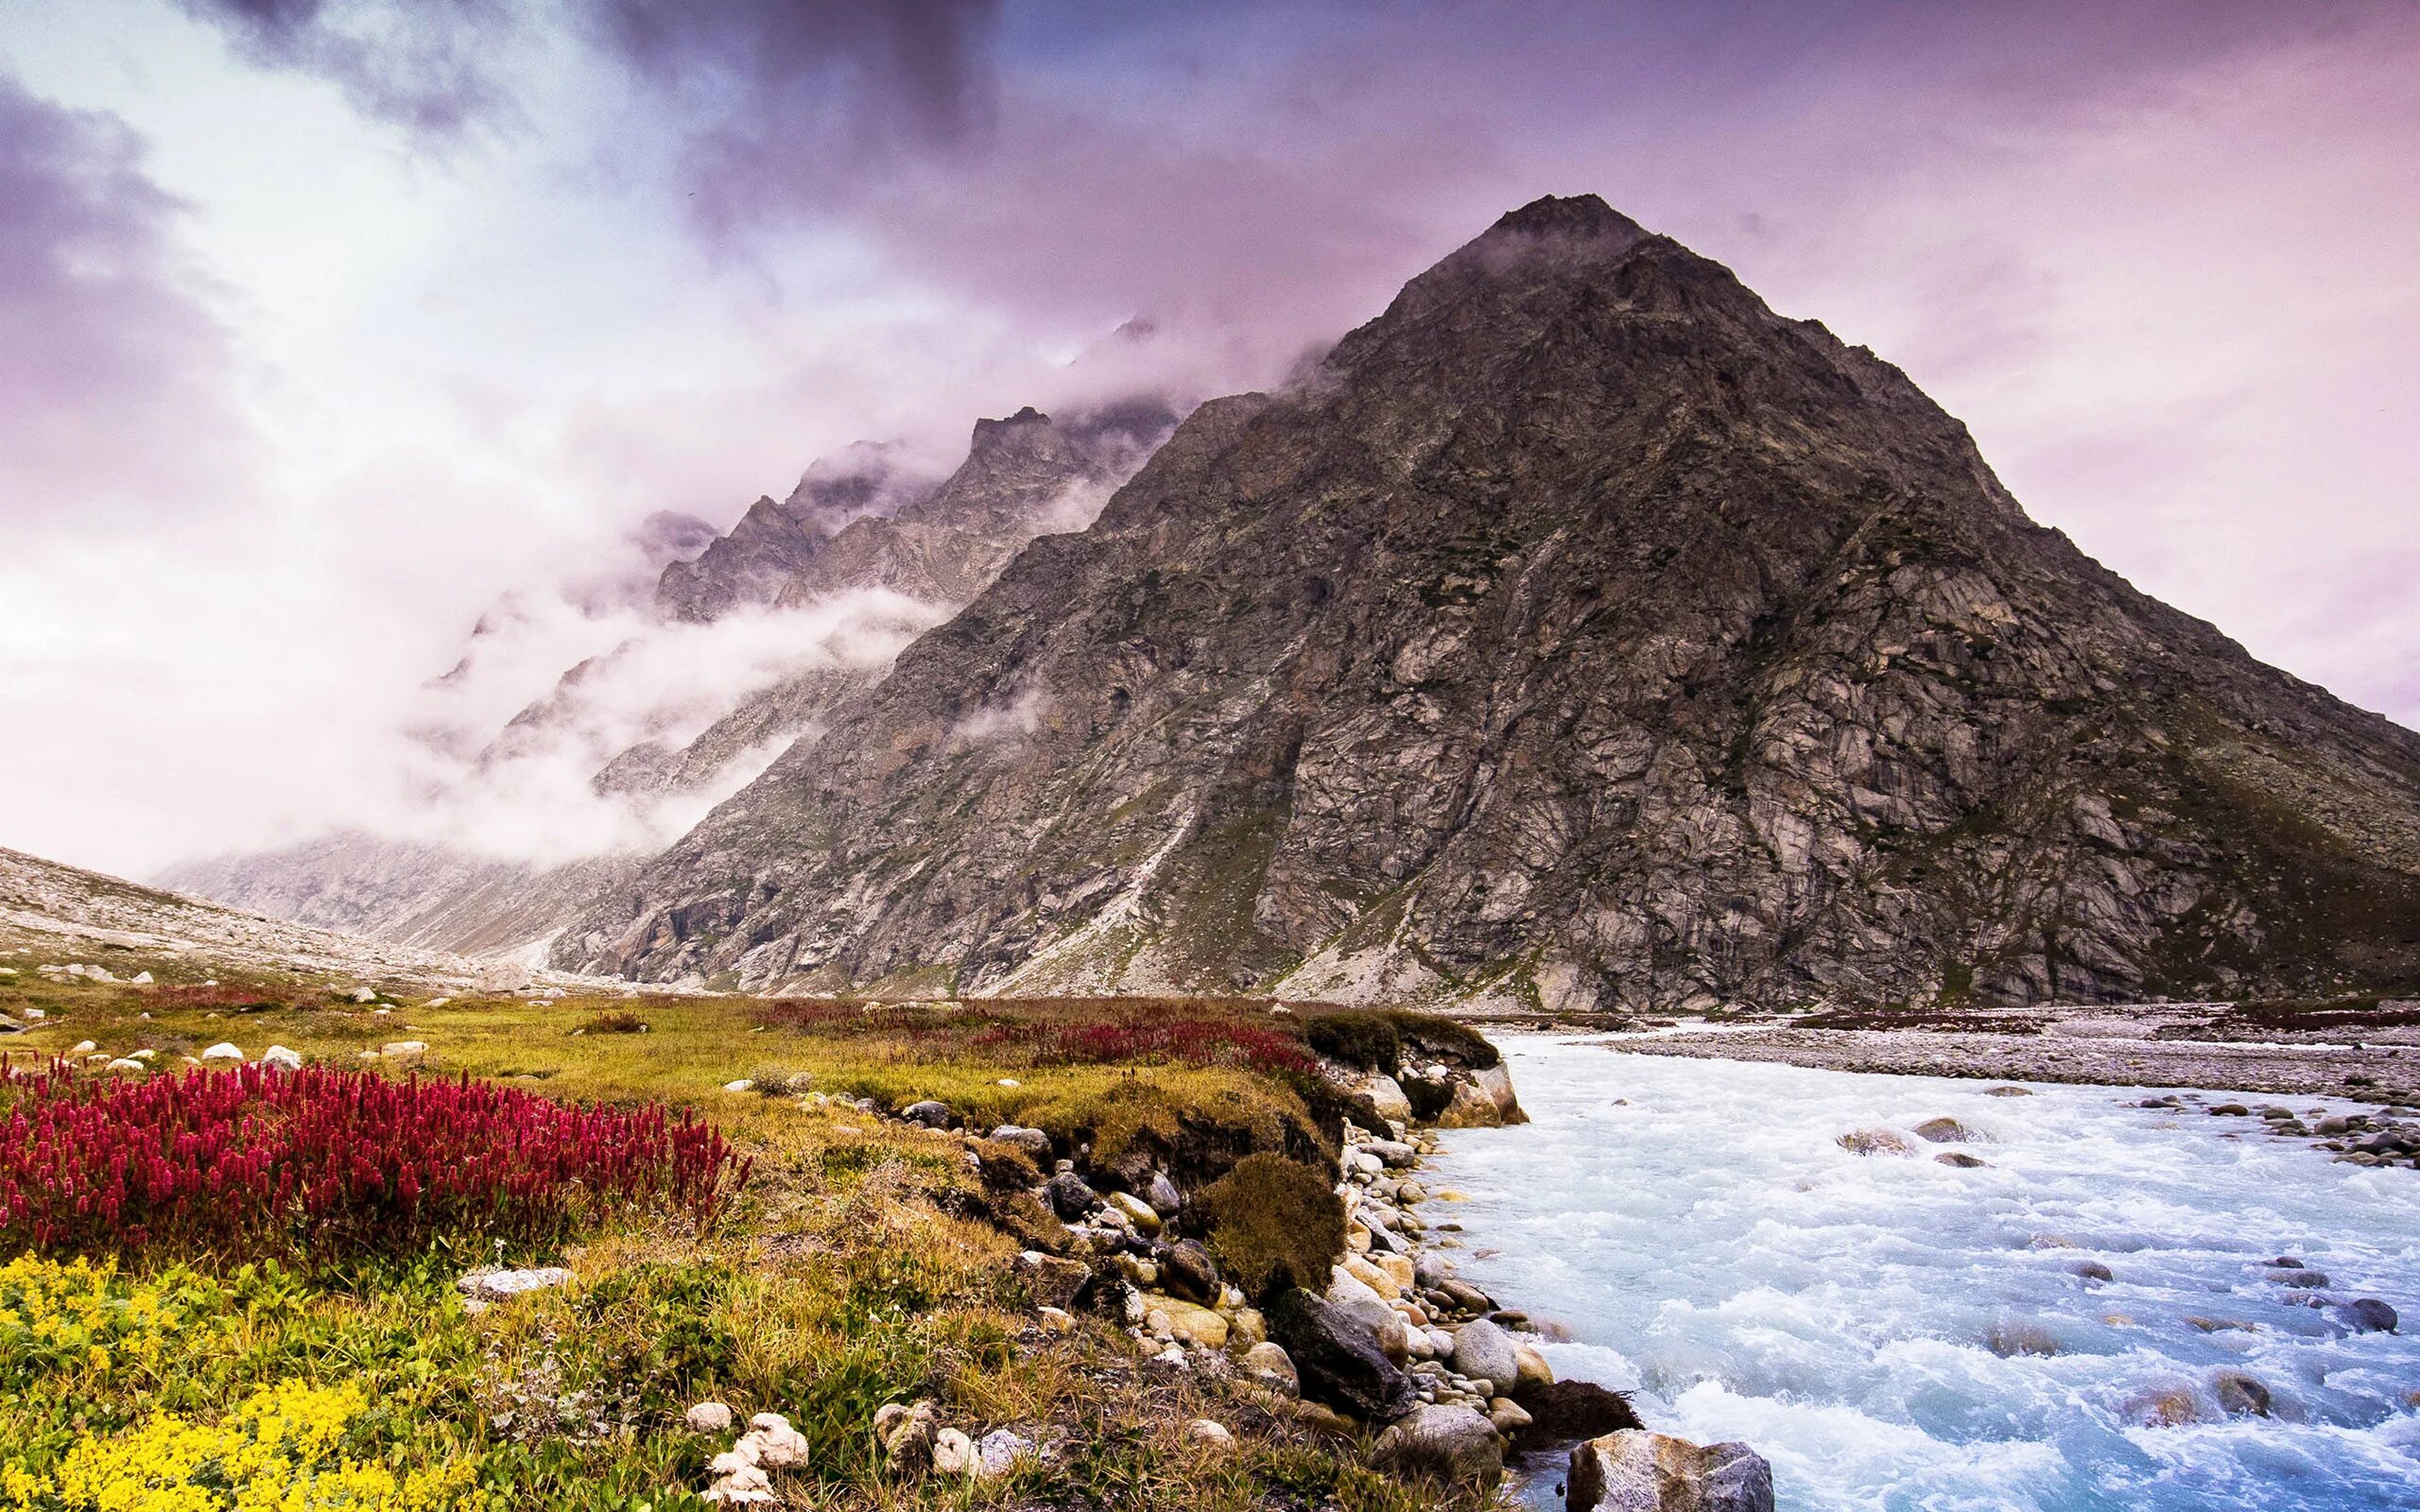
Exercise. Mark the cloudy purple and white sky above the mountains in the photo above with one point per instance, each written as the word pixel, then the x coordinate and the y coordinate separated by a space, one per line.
pixel 330 325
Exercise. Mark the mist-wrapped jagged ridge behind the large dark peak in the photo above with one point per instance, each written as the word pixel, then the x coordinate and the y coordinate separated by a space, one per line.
pixel 863 555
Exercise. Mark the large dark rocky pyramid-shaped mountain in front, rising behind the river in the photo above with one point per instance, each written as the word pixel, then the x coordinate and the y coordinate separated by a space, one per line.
pixel 1579 635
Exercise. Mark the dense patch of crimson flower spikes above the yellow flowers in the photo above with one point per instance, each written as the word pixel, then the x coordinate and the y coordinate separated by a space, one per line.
pixel 263 1162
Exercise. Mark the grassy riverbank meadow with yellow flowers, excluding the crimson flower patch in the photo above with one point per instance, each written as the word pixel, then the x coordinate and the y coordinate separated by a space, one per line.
pixel 865 1262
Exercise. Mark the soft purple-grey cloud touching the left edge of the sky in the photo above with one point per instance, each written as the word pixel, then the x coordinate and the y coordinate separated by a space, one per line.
pixel 115 379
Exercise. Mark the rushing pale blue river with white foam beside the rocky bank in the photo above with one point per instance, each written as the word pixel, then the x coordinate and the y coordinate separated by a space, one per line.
pixel 1710 1245
